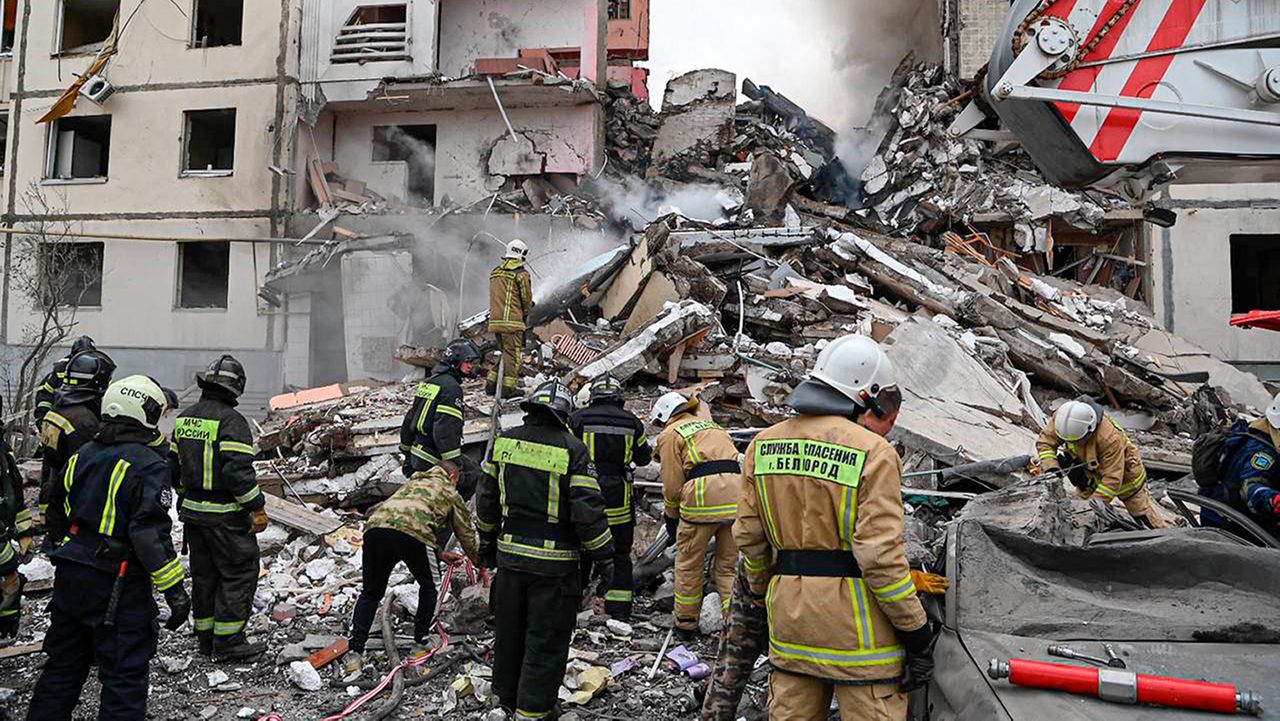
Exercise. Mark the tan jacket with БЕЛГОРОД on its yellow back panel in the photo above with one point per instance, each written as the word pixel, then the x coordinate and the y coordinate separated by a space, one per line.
pixel 821 532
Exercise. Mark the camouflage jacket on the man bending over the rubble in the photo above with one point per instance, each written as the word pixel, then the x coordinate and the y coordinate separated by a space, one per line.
pixel 423 506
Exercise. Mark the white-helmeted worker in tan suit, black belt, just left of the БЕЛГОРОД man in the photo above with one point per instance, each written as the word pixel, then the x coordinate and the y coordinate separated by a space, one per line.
pixel 701 487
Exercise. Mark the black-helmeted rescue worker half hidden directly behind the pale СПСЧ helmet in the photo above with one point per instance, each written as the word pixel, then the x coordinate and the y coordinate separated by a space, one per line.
pixel 72 423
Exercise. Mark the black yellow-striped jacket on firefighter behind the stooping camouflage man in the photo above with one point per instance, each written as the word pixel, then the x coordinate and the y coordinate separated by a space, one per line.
pixel 432 431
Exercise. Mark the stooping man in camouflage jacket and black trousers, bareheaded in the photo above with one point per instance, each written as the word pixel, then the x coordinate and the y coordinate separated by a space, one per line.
pixel 403 530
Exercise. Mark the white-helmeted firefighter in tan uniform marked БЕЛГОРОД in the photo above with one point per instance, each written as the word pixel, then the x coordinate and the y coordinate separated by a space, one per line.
pixel 821 532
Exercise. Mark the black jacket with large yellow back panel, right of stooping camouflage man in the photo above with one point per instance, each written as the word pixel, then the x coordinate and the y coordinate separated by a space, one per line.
pixel 540 504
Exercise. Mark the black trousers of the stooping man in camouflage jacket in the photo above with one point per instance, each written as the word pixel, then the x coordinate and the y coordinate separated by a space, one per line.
pixel 385 549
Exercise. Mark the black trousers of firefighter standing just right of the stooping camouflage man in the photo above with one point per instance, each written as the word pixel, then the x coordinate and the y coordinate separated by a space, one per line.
pixel 536 618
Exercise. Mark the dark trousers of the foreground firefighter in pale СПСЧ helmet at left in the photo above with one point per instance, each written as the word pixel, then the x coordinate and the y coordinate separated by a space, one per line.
pixel 79 640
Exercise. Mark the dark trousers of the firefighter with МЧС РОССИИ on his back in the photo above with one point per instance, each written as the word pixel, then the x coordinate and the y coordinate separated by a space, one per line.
pixel 225 567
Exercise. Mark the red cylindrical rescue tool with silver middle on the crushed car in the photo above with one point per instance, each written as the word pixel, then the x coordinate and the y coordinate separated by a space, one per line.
pixel 1127 687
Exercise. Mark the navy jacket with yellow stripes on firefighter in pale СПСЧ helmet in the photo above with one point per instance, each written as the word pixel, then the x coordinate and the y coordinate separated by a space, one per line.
pixel 116 496
